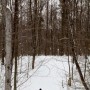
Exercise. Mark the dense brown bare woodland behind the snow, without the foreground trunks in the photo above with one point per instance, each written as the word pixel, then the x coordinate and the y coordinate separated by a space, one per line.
pixel 46 26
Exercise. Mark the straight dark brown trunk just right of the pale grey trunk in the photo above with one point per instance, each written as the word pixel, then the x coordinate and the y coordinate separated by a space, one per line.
pixel 16 42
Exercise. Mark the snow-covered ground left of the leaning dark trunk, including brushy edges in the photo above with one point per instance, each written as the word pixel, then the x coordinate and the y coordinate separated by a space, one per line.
pixel 50 73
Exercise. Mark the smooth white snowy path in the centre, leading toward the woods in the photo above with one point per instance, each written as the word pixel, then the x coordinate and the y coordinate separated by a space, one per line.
pixel 52 74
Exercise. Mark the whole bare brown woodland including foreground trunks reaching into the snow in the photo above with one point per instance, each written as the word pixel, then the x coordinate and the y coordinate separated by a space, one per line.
pixel 43 27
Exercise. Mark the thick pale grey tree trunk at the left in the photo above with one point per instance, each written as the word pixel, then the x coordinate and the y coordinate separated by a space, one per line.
pixel 8 49
